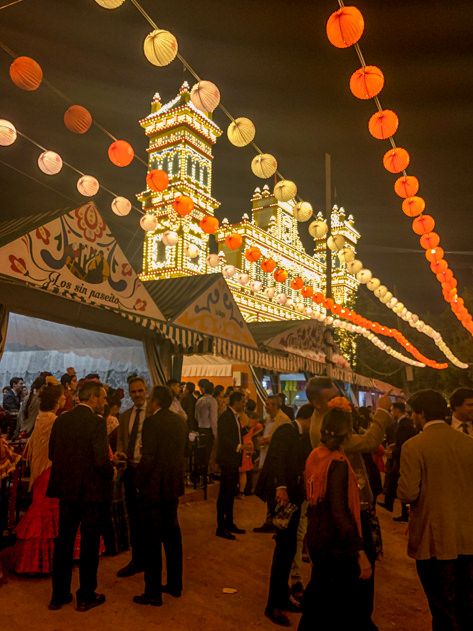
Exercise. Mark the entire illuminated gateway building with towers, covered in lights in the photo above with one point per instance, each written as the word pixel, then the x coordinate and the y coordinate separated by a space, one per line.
pixel 181 138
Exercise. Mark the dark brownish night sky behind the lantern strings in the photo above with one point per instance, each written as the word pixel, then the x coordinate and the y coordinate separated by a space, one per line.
pixel 274 64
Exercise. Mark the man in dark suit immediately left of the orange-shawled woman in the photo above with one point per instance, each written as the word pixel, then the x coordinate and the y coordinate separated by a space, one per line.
pixel 280 482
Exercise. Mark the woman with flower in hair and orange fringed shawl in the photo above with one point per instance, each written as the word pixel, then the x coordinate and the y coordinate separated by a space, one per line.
pixel 334 534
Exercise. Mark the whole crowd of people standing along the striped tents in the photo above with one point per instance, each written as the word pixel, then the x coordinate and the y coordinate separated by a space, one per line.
pixel 96 474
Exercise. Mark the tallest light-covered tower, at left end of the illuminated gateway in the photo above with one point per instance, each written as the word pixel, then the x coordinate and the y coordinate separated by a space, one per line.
pixel 180 142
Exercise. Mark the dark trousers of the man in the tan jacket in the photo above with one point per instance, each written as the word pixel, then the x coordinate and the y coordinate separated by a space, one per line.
pixel 448 586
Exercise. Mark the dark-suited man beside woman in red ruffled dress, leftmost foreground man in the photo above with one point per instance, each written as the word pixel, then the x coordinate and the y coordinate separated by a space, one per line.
pixel 81 477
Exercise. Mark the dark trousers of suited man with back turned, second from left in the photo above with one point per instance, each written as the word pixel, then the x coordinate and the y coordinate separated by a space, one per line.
pixel 162 528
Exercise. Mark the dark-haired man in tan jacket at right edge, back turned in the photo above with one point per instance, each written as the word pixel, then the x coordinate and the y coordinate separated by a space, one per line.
pixel 436 480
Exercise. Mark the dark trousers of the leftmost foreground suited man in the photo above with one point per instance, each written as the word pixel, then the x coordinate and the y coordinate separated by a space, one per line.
pixel 90 517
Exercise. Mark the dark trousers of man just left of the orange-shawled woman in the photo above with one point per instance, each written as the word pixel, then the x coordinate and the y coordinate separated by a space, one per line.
pixel 284 552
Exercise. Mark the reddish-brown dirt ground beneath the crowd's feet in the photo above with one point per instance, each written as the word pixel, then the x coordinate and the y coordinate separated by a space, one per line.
pixel 211 564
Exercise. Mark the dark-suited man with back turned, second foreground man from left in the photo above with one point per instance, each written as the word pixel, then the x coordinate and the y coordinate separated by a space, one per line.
pixel 160 483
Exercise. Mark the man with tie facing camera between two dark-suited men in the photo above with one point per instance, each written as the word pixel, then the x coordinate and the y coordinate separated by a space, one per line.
pixel 129 448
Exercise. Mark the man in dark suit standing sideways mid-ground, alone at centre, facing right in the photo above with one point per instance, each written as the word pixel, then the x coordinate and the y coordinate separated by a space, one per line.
pixel 229 458
